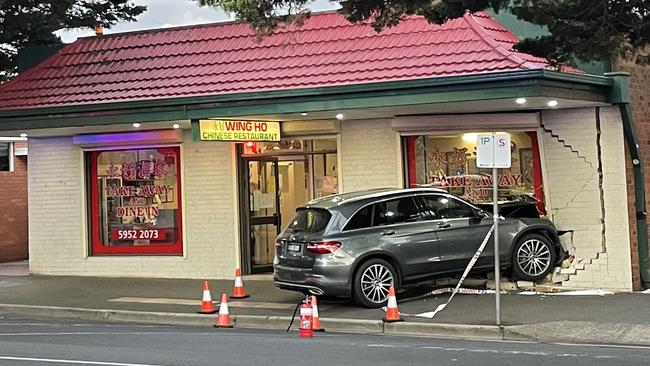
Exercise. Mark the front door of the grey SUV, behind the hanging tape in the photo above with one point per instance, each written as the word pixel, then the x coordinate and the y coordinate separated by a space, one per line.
pixel 459 229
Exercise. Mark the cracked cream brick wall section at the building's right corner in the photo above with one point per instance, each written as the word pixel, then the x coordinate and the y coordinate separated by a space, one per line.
pixel 595 212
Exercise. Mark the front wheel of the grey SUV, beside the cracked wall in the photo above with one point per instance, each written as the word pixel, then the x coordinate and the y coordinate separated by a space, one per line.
pixel 533 257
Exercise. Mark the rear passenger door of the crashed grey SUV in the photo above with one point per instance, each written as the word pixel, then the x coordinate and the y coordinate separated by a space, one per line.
pixel 403 232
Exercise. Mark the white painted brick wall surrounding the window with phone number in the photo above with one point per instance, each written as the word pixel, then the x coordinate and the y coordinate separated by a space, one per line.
pixel 57 215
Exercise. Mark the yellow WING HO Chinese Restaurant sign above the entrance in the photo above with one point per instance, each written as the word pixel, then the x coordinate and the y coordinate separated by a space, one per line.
pixel 226 130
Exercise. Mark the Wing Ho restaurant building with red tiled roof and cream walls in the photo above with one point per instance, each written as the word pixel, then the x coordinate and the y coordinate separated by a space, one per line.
pixel 182 153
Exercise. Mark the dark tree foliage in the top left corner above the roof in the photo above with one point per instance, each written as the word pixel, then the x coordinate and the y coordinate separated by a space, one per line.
pixel 26 23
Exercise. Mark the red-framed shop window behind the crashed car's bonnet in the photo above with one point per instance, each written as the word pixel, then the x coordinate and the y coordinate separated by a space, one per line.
pixel 449 162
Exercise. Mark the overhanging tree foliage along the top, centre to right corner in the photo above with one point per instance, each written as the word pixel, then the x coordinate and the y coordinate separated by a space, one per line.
pixel 577 29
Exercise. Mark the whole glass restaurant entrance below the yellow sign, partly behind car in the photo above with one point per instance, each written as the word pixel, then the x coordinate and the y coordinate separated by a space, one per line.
pixel 275 178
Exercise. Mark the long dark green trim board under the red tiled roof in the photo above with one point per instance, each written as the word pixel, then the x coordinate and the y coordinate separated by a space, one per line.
pixel 527 83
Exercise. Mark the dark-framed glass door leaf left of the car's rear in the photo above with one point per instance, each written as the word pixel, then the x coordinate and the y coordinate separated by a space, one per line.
pixel 263 213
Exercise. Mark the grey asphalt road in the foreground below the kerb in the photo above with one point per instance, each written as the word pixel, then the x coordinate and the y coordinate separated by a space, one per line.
pixel 45 342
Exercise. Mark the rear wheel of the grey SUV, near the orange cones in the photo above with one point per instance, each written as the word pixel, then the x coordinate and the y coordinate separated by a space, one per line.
pixel 372 281
